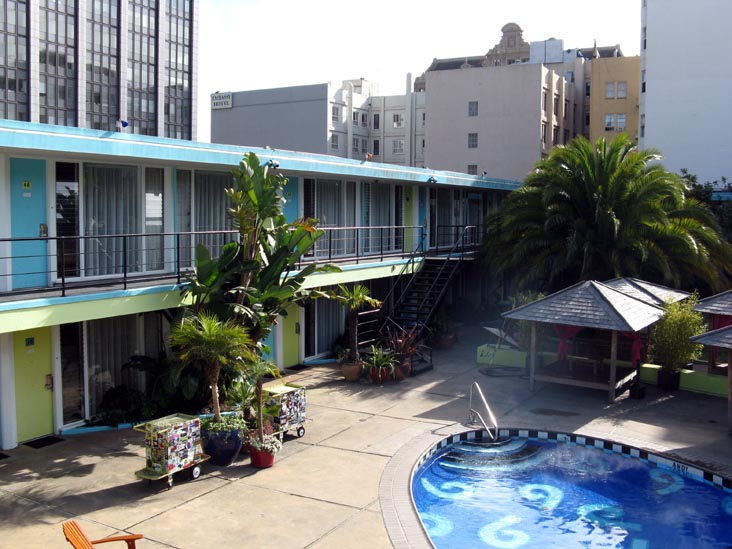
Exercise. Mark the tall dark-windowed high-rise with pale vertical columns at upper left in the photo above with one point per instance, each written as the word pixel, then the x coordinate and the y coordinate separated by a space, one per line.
pixel 101 64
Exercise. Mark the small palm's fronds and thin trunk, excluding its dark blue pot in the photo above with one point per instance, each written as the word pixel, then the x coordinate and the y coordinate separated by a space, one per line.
pixel 205 340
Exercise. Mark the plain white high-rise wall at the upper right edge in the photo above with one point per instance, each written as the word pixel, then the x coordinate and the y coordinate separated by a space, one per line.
pixel 686 74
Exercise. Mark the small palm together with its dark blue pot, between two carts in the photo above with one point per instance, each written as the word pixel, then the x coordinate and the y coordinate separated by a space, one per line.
pixel 206 341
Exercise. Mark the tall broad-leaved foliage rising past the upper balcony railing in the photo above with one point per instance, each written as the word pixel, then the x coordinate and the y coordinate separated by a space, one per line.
pixel 256 278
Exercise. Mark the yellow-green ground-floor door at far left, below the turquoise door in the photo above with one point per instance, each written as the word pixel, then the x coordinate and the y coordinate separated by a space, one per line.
pixel 33 387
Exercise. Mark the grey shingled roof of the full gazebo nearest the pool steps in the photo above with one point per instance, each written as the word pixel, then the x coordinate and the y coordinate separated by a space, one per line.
pixel 590 304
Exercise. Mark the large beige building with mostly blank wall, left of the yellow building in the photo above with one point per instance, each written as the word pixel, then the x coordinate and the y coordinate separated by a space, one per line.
pixel 497 120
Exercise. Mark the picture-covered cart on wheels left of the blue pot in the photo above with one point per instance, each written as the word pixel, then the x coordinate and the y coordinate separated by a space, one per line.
pixel 172 444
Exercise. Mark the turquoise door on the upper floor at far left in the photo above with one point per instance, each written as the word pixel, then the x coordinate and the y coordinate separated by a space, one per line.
pixel 28 220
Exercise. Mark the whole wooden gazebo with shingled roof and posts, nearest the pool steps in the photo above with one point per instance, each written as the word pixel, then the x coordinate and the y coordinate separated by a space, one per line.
pixel 588 304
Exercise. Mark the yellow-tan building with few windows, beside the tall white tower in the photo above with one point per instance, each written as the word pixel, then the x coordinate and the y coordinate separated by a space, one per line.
pixel 615 84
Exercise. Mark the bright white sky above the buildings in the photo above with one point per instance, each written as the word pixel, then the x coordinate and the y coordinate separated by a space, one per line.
pixel 259 44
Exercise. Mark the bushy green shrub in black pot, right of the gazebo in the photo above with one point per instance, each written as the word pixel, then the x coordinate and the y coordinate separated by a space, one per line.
pixel 670 346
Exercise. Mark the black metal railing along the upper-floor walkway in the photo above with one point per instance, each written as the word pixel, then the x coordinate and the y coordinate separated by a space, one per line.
pixel 63 266
